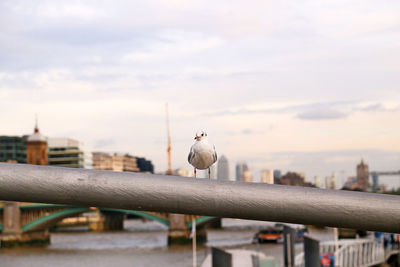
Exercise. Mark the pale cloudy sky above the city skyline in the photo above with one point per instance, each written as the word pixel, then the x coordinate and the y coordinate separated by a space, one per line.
pixel 305 86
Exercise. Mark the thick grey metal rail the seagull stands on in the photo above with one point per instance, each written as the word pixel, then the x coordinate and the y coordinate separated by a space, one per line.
pixel 162 193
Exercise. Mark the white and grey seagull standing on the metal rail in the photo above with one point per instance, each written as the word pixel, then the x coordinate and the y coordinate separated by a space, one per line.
pixel 202 154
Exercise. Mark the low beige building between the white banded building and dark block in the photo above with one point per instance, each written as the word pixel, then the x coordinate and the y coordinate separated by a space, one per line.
pixel 115 162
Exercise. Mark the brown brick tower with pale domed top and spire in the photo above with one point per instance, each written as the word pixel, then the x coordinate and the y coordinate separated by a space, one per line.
pixel 36 148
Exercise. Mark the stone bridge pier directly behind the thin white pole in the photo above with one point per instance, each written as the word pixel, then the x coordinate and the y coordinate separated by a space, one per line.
pixel 179 234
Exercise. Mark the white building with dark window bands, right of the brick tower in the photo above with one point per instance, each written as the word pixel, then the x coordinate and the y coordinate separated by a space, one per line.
pixel 67 152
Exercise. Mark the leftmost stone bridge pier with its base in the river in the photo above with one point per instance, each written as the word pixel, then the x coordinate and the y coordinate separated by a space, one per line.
pixel 12 236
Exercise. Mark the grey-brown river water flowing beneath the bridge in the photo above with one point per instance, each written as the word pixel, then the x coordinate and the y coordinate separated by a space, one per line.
pixel 142 243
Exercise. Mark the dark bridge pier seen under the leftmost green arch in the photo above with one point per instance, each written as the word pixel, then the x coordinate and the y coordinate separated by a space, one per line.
pixel 108 221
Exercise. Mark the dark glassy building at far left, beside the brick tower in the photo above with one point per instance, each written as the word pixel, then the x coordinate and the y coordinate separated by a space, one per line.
pixel 13 149
